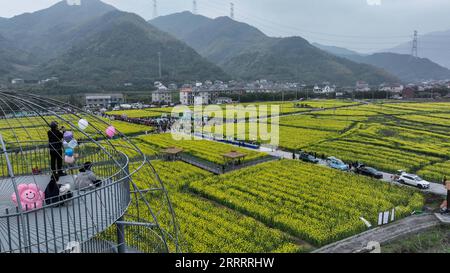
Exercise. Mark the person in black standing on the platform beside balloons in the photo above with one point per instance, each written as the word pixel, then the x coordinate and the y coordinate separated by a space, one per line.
pixel 55 137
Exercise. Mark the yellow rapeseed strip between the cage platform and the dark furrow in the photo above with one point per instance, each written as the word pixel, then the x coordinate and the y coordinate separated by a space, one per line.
pixel 207 227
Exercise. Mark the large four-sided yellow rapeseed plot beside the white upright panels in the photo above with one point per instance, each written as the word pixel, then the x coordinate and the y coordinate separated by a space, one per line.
pixel 316 204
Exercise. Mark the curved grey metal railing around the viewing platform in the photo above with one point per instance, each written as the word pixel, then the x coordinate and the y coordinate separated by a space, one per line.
pixel 87 213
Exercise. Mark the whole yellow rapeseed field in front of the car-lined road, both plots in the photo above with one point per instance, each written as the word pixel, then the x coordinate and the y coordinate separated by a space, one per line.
pixel 286 206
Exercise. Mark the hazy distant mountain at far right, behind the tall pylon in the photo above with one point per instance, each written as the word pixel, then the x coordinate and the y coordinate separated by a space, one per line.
pixel 404 66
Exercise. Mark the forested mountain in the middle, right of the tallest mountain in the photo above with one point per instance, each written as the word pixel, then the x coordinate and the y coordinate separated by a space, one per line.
pixel 245 52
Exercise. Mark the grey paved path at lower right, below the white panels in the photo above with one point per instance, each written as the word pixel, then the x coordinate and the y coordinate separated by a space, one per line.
pixel 384 234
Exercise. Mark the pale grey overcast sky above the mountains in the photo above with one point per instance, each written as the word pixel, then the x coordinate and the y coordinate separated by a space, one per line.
pixel 363 25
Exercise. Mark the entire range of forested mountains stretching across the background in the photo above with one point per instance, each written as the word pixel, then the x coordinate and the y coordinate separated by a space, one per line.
pixel 97 45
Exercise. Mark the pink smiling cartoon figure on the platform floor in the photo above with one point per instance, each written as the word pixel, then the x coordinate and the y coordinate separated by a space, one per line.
pixel 31 197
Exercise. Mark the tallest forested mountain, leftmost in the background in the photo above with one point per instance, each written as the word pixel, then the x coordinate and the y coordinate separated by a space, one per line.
pixel 96 44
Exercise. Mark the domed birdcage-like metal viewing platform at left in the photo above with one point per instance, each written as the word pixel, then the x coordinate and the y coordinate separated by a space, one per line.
pixel 78 222
